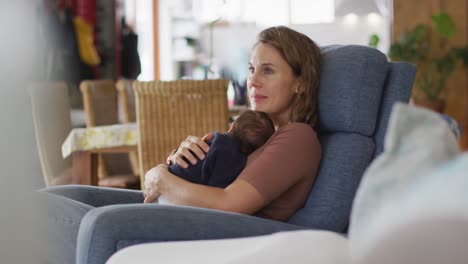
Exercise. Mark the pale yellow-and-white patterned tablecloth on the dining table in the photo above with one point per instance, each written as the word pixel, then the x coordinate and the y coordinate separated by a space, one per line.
pixel 82 139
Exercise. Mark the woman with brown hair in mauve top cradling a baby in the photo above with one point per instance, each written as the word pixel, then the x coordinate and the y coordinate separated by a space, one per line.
pixel 283 81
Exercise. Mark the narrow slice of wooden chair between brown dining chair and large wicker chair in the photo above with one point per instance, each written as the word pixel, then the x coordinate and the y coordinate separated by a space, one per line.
pixel 127 114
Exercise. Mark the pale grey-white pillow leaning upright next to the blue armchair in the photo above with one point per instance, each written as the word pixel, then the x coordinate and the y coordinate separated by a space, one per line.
pixel 417 141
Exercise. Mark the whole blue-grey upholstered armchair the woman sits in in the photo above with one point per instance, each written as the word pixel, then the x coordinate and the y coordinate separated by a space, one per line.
pixel 358 88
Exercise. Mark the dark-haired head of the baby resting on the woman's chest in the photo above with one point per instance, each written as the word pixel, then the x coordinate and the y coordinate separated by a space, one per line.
pixel 252 129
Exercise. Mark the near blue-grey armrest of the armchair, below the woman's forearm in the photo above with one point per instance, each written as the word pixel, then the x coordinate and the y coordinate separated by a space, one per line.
pixel 105 230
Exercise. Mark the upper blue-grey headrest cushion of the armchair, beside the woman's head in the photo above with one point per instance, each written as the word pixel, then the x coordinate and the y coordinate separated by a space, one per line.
pixel 349 93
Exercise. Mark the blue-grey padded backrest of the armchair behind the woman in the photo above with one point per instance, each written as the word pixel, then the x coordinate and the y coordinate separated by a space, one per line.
pixel 358 88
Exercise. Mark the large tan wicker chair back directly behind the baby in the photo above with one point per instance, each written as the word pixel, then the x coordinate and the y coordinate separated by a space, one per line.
pixel 169 111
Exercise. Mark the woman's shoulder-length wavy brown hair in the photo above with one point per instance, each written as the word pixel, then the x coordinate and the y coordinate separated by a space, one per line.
pixel 305 59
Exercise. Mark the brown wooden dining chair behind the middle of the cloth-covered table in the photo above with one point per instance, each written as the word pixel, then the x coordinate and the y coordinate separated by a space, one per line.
pixel 100 106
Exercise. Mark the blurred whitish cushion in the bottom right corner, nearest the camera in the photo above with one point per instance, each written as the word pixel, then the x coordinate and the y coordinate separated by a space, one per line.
pixel 430 218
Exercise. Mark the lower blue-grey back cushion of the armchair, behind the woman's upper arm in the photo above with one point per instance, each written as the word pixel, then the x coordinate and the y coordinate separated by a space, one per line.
pixel 329 203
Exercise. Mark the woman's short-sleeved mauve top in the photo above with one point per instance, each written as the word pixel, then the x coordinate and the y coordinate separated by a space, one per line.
pixel 283 170
